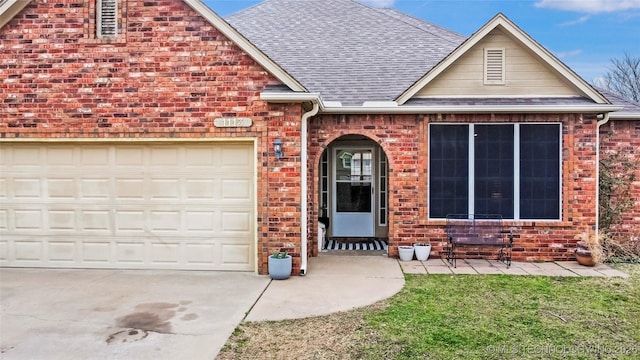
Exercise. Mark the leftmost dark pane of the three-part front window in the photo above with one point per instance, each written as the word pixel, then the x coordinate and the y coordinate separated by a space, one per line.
pixel 448 170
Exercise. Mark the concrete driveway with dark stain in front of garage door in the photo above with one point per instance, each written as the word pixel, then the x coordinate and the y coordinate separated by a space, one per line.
pixel 116 314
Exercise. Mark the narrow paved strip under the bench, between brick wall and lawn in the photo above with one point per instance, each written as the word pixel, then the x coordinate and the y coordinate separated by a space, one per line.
pixel 473 266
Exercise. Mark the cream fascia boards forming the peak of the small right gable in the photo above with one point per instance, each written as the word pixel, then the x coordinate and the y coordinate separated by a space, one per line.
pixel 520 35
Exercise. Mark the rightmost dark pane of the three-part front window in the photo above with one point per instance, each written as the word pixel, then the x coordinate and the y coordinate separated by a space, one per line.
pixel 540 171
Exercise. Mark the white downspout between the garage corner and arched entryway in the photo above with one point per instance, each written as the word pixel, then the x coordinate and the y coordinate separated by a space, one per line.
pixel 303 187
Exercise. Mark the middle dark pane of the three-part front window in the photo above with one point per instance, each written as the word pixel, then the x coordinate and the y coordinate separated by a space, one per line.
pixel 493 146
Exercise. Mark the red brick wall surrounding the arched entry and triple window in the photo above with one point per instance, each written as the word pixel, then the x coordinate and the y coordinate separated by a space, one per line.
pixel 404 140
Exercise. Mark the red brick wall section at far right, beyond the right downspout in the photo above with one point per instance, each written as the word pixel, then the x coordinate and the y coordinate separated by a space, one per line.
pixel 623 137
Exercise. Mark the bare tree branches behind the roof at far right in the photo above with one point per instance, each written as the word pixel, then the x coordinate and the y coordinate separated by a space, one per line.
pixel 623 77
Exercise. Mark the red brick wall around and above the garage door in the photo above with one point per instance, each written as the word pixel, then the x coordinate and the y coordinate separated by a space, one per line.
pixel 169 74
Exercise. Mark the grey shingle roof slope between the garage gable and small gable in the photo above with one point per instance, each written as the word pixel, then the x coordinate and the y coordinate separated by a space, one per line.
pixel 345 50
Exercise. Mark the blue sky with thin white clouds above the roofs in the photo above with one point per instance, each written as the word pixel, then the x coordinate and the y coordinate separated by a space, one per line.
pixel 584 34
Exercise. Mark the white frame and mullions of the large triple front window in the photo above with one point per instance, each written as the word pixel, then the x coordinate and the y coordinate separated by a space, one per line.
pixel 516 159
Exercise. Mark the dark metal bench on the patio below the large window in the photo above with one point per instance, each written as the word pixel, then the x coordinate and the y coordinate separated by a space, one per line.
pixel 465 230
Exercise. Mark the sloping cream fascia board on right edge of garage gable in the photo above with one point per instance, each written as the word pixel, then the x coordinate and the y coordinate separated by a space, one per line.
pixel 245 45
